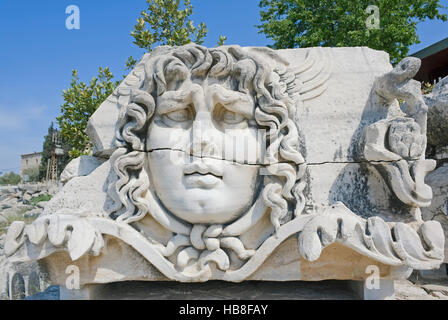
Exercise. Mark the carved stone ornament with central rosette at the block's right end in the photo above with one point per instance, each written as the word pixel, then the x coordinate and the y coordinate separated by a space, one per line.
pixel 396 145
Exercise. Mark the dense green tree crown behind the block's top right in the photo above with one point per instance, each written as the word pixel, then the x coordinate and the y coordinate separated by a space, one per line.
pixel 340 23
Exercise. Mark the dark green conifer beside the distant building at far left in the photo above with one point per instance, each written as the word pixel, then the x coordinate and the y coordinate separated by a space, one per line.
pixel 62 161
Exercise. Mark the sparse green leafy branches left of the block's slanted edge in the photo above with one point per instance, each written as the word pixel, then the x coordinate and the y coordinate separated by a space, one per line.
pixel 81 101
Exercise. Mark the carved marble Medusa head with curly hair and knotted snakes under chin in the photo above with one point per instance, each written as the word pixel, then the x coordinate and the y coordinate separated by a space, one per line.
pixel 208 147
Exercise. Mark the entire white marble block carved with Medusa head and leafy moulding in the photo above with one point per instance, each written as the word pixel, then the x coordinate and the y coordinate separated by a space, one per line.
pixel 247 164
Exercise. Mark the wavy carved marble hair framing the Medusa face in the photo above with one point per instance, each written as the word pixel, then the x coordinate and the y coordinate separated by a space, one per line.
pixel 276 101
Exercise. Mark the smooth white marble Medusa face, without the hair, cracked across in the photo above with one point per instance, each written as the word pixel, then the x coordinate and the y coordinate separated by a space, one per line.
pixel 204 152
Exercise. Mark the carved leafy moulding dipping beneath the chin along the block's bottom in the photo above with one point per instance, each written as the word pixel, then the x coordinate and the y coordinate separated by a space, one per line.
pixel 399 245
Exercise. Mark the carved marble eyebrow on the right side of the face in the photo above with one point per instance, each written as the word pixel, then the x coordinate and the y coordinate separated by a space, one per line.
pixel 234 101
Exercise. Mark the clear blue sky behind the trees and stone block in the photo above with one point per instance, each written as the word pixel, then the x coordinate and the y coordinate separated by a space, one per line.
pixel 38 53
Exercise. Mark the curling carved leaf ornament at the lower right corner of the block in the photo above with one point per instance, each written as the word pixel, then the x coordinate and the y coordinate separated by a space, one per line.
pixel 374 238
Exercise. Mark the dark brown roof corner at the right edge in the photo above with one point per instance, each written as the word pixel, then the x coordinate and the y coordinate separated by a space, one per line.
pixel 434 62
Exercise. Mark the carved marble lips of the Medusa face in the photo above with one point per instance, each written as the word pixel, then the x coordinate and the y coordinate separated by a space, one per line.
pixel 202 175
